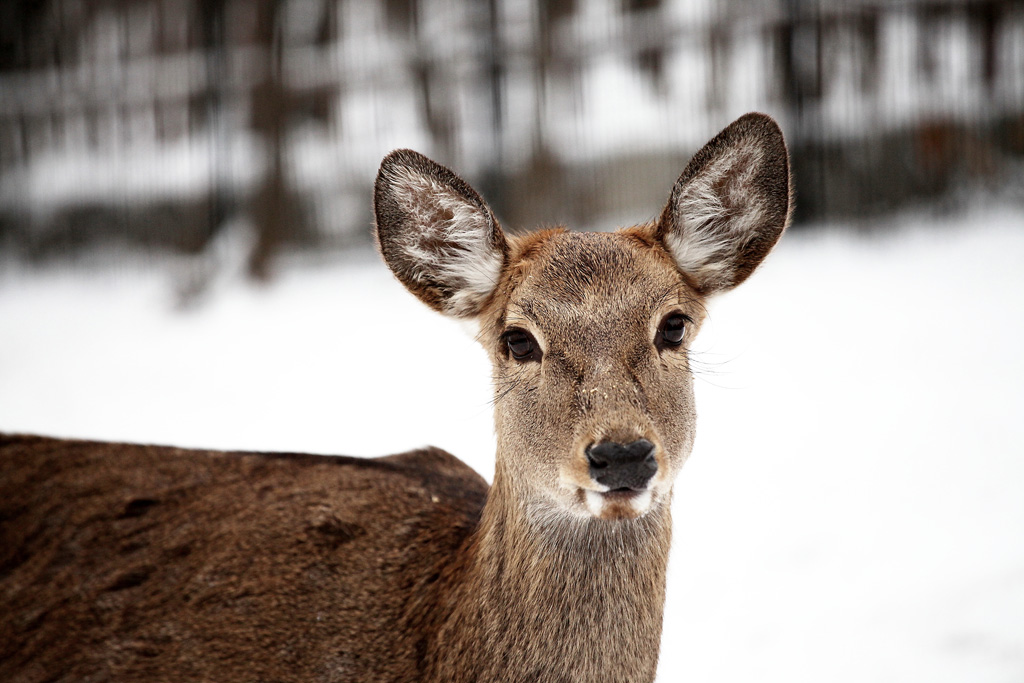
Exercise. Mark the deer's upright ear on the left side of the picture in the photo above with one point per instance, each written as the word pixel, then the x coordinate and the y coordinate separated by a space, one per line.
pixel 437 235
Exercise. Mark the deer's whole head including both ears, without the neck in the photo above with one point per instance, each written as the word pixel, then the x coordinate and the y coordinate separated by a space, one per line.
pixel 588 333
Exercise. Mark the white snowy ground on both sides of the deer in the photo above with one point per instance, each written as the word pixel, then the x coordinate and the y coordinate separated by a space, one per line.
pixel 855 508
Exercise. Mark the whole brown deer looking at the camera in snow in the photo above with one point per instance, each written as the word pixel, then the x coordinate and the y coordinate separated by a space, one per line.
pixel 129 563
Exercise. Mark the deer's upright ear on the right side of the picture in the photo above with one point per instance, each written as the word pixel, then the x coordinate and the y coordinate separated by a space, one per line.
pixel 731 205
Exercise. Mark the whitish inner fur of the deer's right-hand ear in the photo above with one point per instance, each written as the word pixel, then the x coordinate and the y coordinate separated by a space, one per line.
pixel 712 229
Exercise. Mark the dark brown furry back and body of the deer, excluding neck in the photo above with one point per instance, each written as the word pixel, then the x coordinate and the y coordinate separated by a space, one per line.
pixel 262 567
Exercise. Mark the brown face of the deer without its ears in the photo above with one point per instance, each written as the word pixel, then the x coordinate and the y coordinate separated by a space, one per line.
pixel 593 392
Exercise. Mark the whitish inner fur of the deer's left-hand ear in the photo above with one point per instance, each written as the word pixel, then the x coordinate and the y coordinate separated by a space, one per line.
pixel 453 242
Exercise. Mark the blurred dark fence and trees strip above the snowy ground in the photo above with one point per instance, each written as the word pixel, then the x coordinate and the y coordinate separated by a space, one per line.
pixel 161 124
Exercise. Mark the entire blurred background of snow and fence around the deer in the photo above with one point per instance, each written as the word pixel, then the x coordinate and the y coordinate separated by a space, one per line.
pixel 186 259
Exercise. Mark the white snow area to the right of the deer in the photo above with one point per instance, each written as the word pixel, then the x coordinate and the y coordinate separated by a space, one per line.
pixel 855 508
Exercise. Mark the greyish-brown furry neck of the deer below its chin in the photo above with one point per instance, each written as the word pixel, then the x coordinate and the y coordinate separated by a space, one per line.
pixel 543 596
